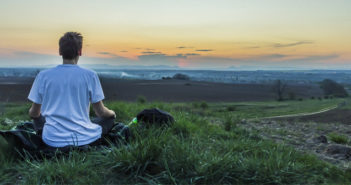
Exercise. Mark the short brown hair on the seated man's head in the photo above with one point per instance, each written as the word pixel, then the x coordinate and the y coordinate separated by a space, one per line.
pixel 70 44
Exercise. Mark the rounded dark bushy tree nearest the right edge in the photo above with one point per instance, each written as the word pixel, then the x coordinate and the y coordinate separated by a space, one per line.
pixel 331 87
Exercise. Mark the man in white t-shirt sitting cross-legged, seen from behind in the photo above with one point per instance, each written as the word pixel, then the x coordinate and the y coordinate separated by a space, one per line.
pixel 61 98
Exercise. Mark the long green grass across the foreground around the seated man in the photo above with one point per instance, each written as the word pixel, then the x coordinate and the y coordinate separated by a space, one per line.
pixel 192 151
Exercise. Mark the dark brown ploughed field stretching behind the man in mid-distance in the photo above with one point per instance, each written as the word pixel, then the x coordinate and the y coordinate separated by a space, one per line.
pixel 166 90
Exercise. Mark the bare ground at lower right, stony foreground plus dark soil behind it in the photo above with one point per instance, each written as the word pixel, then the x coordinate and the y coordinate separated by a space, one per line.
pixel 311 134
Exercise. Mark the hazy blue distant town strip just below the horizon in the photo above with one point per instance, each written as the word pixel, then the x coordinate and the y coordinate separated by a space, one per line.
pixel 235 77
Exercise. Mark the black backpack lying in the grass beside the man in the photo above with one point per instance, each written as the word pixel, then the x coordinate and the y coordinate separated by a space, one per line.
pixel 155 117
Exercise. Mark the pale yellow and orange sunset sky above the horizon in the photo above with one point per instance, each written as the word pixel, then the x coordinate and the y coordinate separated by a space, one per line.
pixel 189 34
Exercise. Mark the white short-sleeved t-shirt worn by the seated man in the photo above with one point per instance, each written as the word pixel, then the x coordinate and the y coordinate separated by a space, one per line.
pixel 65 93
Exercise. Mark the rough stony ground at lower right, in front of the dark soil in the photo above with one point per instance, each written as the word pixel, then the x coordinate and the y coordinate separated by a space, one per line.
pixel 307 137
